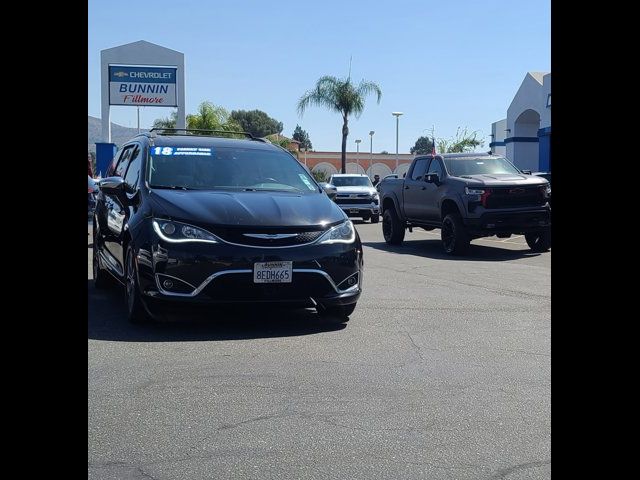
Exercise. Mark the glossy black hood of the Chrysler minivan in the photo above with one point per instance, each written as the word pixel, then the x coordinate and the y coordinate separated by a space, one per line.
pixel 222 208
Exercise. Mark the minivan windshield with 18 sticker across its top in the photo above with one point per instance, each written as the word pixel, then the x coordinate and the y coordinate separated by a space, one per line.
pixel 212 168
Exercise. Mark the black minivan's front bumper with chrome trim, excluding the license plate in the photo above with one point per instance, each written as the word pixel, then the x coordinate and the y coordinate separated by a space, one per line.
pixel 328 275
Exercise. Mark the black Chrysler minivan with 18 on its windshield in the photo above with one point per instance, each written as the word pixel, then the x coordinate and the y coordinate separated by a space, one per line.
pixel 202 219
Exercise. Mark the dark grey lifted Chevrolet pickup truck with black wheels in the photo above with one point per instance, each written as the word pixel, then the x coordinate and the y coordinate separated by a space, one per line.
pixel 467 196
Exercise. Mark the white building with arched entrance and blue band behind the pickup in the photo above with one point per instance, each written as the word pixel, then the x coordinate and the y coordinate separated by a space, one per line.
pixel 524 137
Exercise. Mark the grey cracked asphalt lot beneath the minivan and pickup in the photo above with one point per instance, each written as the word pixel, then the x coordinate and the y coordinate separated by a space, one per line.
pixel 443 372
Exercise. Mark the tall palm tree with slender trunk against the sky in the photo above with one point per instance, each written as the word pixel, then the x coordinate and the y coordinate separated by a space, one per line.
pixel 341 96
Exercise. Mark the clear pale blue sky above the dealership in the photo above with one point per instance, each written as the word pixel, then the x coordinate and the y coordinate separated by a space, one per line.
pixel 444 64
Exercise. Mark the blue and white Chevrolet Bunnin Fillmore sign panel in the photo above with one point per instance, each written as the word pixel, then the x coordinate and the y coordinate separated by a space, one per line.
pixel 148 86
